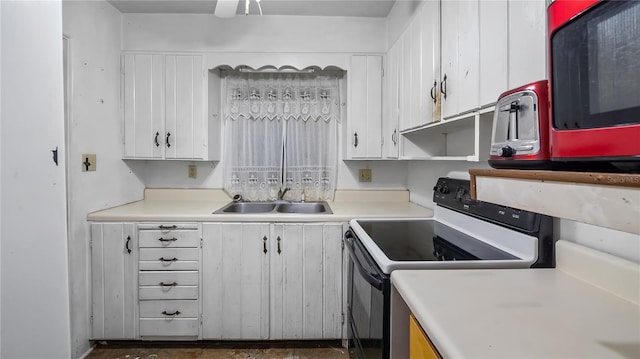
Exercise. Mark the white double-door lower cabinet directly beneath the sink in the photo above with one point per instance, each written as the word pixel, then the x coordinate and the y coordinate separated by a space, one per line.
pixel 272 281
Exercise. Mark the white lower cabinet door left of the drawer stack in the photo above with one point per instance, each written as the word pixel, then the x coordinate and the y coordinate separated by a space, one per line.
pixel 114 281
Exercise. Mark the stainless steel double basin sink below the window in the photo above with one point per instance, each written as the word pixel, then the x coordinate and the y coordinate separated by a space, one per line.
pixel 275 207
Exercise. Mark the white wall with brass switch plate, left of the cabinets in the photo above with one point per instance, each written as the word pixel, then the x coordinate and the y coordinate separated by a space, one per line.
pixel 94 31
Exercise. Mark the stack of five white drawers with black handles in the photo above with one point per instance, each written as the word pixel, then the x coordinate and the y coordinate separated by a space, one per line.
pixel 168 280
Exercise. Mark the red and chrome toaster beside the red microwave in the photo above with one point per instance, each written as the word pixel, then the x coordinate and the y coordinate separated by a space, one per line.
pixel 520 132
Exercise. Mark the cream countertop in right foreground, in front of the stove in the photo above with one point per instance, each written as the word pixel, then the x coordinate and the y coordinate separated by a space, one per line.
pixel 526 313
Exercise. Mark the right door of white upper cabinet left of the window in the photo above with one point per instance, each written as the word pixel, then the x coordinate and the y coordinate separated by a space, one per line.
pixel 185 134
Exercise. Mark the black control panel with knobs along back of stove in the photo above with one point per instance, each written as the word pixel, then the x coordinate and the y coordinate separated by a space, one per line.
pixel 455 194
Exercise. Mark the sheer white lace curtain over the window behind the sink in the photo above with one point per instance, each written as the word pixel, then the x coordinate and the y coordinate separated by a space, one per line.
pixel 281 132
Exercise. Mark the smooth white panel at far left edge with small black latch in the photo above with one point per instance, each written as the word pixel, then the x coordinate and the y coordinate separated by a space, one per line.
pixel 35 291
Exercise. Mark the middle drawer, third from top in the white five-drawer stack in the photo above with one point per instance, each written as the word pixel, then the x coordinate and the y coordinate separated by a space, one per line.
pixel 169 258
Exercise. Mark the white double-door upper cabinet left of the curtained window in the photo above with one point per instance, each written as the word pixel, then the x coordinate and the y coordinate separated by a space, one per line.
pixel 164 107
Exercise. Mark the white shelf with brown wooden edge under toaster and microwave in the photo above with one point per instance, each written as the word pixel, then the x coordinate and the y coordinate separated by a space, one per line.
pixel 610 200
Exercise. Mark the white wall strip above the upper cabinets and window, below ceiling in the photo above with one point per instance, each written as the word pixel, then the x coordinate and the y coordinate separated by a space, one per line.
pixel 191 32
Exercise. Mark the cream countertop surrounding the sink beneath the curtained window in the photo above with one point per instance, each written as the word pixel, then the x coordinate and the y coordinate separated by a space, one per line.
pixel 199 205
